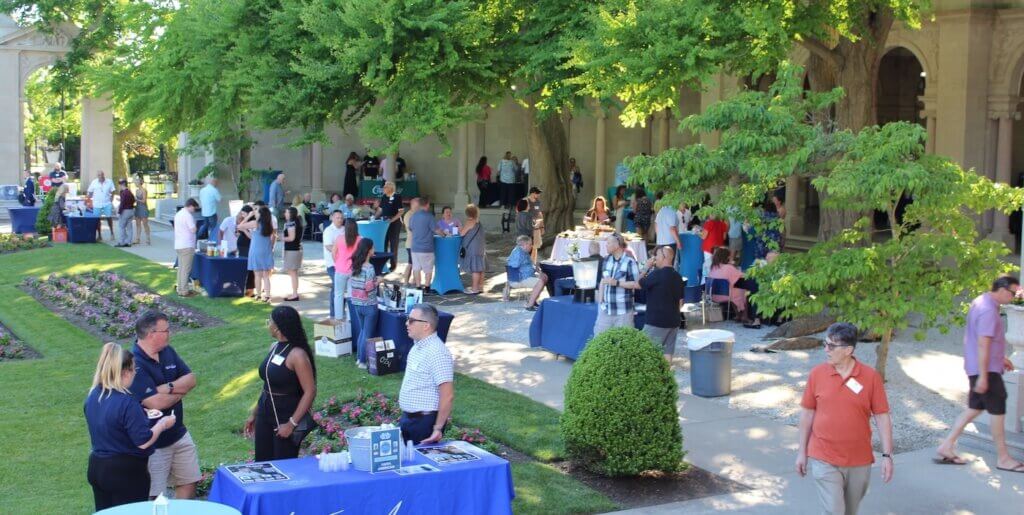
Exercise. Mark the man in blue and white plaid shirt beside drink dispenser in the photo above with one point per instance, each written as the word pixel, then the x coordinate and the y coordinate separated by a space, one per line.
pixel 615 294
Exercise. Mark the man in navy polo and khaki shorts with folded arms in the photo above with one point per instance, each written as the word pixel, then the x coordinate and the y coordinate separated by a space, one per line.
pixel 162 379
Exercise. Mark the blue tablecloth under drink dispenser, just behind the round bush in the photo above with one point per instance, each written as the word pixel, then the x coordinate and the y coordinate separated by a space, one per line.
pixel 565 327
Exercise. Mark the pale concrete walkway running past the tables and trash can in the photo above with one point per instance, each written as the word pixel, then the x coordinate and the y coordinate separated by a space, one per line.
pixel 490 342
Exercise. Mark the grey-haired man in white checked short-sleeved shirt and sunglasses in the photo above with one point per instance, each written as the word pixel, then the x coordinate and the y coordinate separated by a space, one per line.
pixel 428 390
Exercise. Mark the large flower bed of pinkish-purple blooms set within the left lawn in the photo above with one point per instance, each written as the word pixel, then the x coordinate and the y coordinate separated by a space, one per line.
pixel 107 305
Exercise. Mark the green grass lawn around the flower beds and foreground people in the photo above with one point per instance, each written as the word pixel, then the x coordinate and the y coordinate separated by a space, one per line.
pixel 44 434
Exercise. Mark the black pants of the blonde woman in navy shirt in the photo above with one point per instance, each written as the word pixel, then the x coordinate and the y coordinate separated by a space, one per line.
pixel 118 481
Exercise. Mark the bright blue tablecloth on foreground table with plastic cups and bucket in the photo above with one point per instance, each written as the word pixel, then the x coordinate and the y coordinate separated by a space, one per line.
pixel 481 487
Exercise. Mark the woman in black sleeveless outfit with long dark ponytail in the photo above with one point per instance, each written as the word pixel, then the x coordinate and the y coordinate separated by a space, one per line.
pixel 281 419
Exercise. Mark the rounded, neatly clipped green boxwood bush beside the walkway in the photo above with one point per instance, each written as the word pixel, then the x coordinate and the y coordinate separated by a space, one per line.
pixel 621 416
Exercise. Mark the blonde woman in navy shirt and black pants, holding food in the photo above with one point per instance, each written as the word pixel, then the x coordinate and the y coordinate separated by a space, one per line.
pixel 120 433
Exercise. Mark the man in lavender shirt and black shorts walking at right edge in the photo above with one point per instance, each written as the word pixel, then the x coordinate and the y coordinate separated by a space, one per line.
pixel 985 362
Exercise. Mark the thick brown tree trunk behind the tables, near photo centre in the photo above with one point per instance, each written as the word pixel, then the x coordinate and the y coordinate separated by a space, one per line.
pixel 549 162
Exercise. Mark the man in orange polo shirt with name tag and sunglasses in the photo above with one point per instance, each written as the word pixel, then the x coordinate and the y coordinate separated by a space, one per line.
pixel 842 397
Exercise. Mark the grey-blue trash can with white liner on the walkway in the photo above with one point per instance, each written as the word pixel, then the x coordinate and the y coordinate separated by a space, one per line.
pixel 711 362
